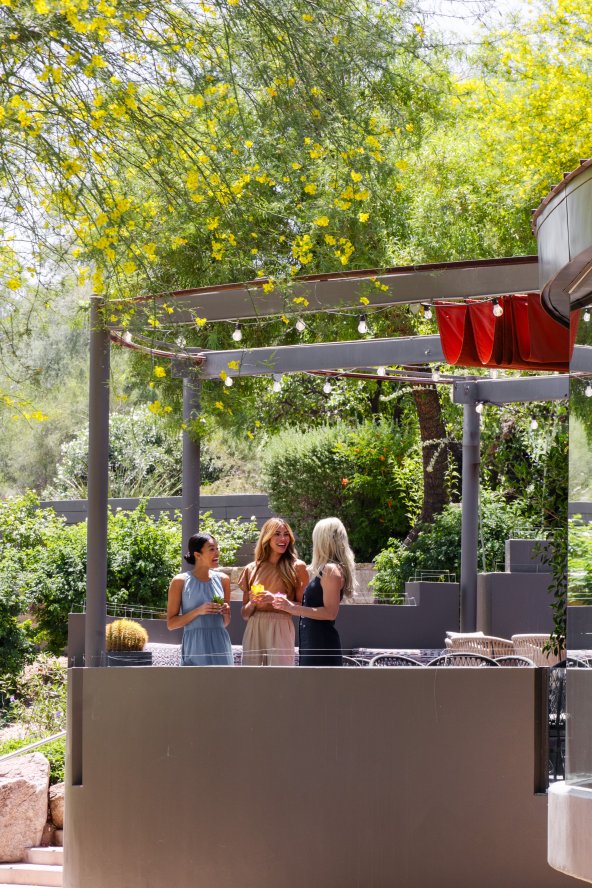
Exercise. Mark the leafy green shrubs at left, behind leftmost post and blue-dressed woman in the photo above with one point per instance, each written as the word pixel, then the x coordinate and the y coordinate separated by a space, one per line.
pixel 45 561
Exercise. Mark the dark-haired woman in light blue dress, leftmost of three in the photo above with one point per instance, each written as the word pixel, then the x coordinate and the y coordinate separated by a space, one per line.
pixel 199 601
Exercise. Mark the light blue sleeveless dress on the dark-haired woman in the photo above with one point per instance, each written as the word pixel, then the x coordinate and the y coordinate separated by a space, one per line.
pixel 205 640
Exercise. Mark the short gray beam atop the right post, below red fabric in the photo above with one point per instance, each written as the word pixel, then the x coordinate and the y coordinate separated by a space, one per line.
pixel 512 390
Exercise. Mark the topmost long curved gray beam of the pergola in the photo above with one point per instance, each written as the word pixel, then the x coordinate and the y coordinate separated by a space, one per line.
pixel 421 283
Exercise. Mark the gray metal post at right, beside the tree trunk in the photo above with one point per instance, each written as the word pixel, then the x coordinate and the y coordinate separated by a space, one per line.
pixel 470 518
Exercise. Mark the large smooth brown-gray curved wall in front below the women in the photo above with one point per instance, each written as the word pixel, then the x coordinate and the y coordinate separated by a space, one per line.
pixel 283 778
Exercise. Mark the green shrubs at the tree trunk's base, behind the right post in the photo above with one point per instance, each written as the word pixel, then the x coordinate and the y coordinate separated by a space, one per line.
pixel 437 548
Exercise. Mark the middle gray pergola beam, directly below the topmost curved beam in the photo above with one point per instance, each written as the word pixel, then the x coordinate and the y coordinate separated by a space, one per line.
pixel 322 356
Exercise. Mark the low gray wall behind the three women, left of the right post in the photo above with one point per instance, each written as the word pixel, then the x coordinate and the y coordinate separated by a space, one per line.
pixel 364 625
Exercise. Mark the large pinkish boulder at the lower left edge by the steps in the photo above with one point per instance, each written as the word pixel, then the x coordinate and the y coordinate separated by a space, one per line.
pixel 24 783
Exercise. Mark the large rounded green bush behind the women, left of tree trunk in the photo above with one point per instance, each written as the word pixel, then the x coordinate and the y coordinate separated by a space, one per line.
pixel 369 476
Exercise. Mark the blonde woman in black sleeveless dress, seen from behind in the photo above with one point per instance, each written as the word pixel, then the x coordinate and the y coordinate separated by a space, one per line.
pixel 333 576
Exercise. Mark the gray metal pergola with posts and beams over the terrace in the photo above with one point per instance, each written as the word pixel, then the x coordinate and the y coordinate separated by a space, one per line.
pixel 235 302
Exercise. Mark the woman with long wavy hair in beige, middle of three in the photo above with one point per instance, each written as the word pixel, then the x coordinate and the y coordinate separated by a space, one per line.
pixel 270 636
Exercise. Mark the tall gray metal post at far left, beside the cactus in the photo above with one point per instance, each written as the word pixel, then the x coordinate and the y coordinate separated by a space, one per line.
pixel 98 487
